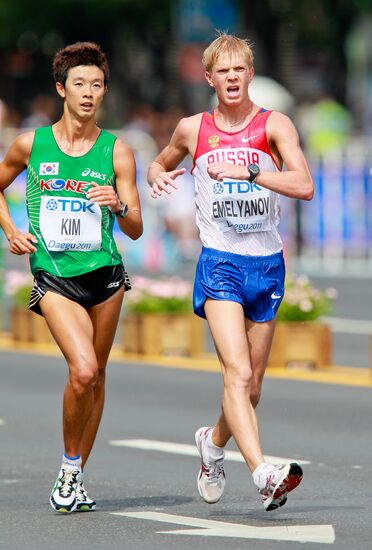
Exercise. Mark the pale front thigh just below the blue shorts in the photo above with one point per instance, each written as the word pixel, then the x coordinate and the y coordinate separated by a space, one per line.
pixel 227 324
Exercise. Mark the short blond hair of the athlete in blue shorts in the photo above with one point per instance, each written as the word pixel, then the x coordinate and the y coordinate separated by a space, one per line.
pixel 226 43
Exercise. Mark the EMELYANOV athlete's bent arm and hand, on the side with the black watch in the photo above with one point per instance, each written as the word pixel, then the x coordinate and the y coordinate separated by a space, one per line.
pixel 296 182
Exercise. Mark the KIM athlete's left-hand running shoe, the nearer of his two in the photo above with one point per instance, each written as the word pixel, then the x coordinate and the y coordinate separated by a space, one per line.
pixel 63 495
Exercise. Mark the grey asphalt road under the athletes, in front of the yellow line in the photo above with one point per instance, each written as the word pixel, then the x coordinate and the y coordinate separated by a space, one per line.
pixel 327 425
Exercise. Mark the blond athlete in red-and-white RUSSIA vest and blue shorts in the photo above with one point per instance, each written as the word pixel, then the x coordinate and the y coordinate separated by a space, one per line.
pixel 238 151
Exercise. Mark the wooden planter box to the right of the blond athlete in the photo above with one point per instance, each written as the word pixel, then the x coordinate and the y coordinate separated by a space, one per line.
pixel 307 345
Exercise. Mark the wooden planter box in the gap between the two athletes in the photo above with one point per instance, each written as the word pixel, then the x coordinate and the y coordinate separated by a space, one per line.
pixel 163 334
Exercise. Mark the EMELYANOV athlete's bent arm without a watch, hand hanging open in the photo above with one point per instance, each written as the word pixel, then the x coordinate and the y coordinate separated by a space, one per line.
pixel 162 171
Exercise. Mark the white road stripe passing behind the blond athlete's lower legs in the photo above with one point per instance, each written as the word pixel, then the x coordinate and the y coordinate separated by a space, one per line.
pixel 191 450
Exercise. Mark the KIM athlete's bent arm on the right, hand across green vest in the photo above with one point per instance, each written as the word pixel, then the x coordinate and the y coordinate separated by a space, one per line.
pixel 126 191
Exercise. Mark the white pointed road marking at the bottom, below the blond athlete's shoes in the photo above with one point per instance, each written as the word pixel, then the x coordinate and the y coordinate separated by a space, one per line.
pixel 322 534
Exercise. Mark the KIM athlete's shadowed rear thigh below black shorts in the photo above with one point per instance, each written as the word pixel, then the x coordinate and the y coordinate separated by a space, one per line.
pixel 104 318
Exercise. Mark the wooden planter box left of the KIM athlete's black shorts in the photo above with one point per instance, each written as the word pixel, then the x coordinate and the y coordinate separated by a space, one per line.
pixel 26 326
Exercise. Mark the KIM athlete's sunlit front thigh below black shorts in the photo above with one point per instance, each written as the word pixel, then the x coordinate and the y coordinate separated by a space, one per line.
pixel 71 327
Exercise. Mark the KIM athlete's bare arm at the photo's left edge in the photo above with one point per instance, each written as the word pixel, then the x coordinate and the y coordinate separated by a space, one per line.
pixel 14 163
